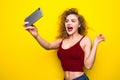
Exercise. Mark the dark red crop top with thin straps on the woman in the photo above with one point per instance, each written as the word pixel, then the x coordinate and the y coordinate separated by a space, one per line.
pixel 72 59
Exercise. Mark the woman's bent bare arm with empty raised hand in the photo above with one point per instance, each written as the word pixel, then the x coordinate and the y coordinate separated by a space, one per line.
pixel 90 51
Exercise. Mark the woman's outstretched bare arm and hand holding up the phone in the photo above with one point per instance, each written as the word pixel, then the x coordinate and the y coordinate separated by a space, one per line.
pixel 33 31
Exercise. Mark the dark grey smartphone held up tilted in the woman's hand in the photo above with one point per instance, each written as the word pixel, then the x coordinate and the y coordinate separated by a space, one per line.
pixel 32 18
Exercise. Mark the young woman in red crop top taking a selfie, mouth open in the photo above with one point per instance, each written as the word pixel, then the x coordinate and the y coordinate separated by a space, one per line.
pixel 75 49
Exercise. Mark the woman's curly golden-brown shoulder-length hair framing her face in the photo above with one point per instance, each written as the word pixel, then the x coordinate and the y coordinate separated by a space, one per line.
pixel 62 31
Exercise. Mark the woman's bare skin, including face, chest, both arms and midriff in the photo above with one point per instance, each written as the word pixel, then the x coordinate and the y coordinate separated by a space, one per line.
pixel 86 44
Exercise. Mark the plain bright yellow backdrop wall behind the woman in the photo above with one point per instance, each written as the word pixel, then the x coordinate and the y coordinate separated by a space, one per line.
pixel 21 57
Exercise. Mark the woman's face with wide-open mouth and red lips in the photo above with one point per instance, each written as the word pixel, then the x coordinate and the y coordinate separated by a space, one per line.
pixel 72 24
